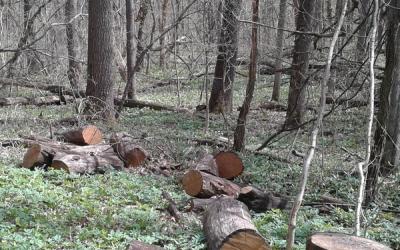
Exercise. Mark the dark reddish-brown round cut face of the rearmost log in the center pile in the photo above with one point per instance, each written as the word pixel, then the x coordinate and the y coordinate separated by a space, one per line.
pixel 229 165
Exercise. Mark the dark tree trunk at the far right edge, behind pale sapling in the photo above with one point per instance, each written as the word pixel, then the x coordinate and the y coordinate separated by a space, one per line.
pixel 385 153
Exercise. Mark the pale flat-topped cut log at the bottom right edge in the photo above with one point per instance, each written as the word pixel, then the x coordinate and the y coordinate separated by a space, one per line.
pixel 339 241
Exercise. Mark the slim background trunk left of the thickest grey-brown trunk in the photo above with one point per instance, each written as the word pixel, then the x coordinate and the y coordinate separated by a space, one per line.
pixel 73 66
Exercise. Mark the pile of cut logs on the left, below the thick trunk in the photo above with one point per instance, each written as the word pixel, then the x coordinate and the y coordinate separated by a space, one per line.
pixel 82 151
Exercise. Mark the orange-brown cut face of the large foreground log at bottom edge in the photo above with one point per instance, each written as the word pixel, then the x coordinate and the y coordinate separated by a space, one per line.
pixel 245 240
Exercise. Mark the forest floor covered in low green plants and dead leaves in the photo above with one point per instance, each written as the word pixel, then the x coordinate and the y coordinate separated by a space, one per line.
pixel 54 210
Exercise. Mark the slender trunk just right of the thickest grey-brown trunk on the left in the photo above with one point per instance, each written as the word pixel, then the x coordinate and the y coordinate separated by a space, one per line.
pixel 130 51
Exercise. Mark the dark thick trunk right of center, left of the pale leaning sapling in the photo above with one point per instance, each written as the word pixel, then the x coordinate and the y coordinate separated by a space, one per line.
pixel 301 57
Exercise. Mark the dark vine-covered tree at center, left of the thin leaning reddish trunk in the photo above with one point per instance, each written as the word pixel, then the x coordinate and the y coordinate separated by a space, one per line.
pixel 224 75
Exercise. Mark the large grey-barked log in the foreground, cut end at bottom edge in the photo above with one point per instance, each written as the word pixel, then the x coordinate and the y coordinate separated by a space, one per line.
pixel 227 225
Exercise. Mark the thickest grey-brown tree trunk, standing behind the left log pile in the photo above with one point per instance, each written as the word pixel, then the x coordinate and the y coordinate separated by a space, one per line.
pixel 100 59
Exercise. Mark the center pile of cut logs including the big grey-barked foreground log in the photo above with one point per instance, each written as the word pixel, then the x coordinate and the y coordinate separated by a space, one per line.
pixel 227 222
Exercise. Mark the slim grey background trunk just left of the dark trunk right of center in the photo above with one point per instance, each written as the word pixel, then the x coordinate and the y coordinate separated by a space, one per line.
pixel 279 51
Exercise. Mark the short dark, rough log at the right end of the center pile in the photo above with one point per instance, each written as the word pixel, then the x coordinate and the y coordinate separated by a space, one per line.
pixel 260 201
